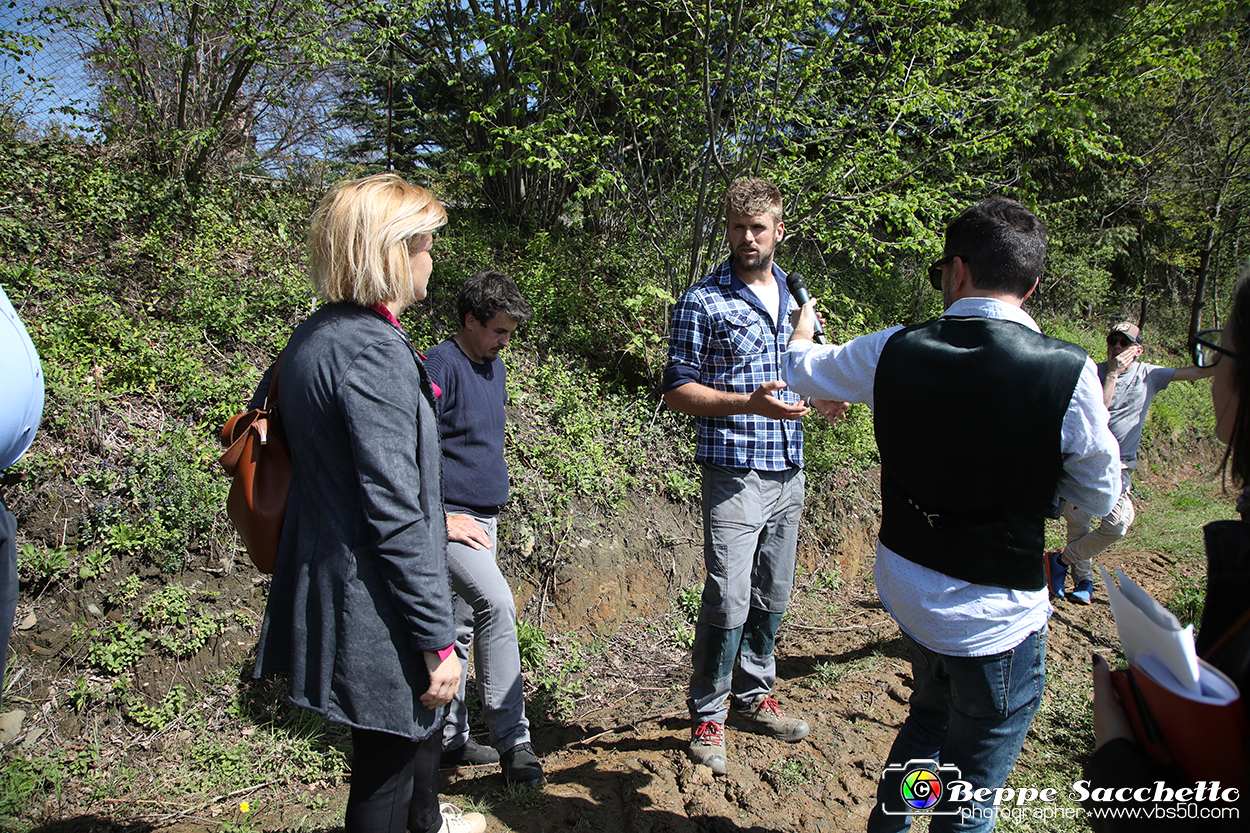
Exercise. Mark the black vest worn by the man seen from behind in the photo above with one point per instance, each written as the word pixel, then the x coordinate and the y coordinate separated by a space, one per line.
pixel 968 416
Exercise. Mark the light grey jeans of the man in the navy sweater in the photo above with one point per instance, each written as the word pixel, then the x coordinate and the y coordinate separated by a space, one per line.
pixel 487 617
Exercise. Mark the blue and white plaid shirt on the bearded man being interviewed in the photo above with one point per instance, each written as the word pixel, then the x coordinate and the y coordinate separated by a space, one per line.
pixel 723 338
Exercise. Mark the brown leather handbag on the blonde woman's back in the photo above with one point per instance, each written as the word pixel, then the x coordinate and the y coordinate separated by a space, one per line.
pixel 259 461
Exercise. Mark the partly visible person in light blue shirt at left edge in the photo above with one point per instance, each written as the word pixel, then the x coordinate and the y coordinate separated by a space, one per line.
pixel 22 406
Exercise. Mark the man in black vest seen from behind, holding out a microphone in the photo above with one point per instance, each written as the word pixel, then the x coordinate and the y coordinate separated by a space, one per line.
pixel 983 423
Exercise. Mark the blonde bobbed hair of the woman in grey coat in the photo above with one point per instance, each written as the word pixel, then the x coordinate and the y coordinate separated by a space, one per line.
pixel 362 236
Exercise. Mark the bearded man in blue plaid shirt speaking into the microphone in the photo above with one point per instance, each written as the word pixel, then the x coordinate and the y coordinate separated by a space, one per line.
pixel 729 335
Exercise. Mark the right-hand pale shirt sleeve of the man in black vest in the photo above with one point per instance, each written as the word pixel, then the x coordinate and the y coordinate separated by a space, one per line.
pixel 1092 457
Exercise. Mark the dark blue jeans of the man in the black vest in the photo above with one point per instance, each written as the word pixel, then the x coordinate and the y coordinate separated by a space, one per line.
pixel 969 712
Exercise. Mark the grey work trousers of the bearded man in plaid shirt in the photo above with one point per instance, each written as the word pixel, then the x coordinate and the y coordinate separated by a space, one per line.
pixel 751 535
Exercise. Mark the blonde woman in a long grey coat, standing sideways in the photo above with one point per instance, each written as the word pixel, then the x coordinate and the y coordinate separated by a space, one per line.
pixel 359 612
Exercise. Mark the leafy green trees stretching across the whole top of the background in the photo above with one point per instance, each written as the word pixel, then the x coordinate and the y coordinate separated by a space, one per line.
pixel 878 121
